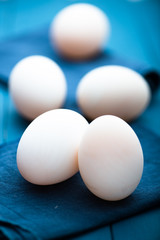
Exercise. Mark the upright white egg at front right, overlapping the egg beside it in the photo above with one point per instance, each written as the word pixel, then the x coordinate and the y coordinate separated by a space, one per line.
pixel 110 158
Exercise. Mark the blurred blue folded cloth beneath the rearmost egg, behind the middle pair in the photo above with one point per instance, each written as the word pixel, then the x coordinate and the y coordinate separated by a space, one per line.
pixel 37 43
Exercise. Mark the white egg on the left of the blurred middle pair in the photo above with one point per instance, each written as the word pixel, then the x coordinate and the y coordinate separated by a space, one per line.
pixel 37 84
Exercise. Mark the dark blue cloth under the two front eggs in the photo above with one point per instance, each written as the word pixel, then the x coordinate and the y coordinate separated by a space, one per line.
pixel 28 211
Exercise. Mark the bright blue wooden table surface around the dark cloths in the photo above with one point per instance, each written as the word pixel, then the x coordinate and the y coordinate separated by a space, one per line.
pixel 135 34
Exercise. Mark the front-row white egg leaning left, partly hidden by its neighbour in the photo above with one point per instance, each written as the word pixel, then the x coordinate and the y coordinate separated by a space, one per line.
pixel 48 149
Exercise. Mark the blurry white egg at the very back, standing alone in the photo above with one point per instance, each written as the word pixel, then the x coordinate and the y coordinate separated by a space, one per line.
pixel 79 31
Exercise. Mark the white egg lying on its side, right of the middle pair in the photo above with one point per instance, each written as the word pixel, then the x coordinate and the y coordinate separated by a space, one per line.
pixel 113 90
